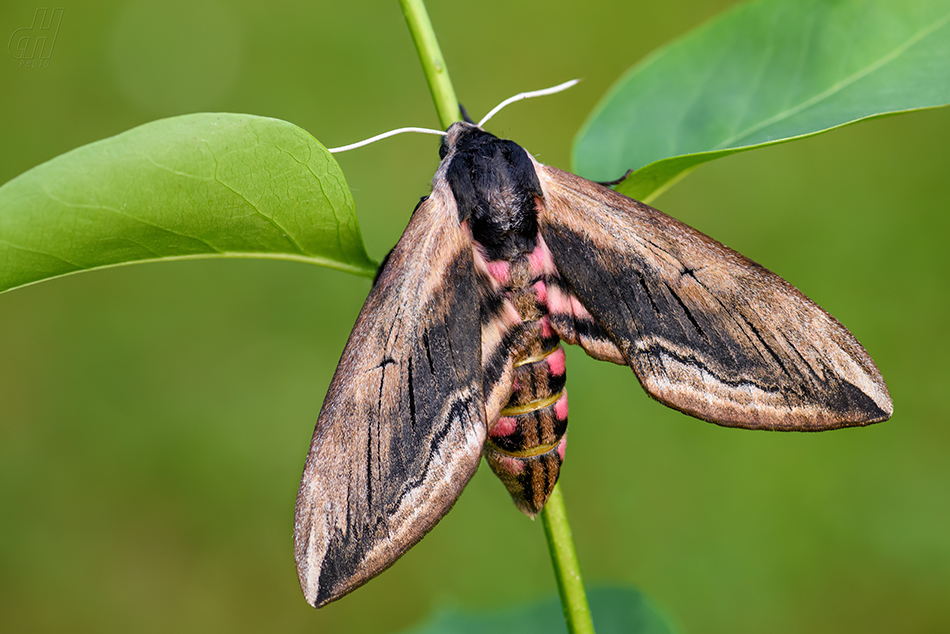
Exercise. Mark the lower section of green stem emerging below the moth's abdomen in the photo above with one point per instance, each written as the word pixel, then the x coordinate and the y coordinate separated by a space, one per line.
pixel 566 568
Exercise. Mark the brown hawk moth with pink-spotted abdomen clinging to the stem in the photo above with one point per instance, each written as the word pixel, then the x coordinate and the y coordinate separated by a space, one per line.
pixel 457 352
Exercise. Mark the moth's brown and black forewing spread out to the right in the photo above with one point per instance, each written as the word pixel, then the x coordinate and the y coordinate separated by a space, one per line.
pixel 706 330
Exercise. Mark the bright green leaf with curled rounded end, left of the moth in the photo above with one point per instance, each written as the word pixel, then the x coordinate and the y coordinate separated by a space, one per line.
pixel 201 185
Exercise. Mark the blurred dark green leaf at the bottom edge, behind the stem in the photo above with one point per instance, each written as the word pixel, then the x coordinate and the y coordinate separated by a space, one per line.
pixel 615 611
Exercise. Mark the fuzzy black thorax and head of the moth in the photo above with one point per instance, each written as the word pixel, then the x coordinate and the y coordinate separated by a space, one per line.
pixel 495 189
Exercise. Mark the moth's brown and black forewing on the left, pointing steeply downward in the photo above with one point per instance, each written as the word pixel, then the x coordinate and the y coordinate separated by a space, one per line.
pixel 403 425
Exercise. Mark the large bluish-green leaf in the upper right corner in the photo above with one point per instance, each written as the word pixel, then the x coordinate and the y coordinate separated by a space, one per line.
pixel 764 73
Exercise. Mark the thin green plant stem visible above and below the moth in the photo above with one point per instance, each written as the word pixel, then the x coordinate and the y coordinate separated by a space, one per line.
pixel 554 516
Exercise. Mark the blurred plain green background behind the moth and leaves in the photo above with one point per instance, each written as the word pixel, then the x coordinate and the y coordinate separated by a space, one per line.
pixel 154 418
